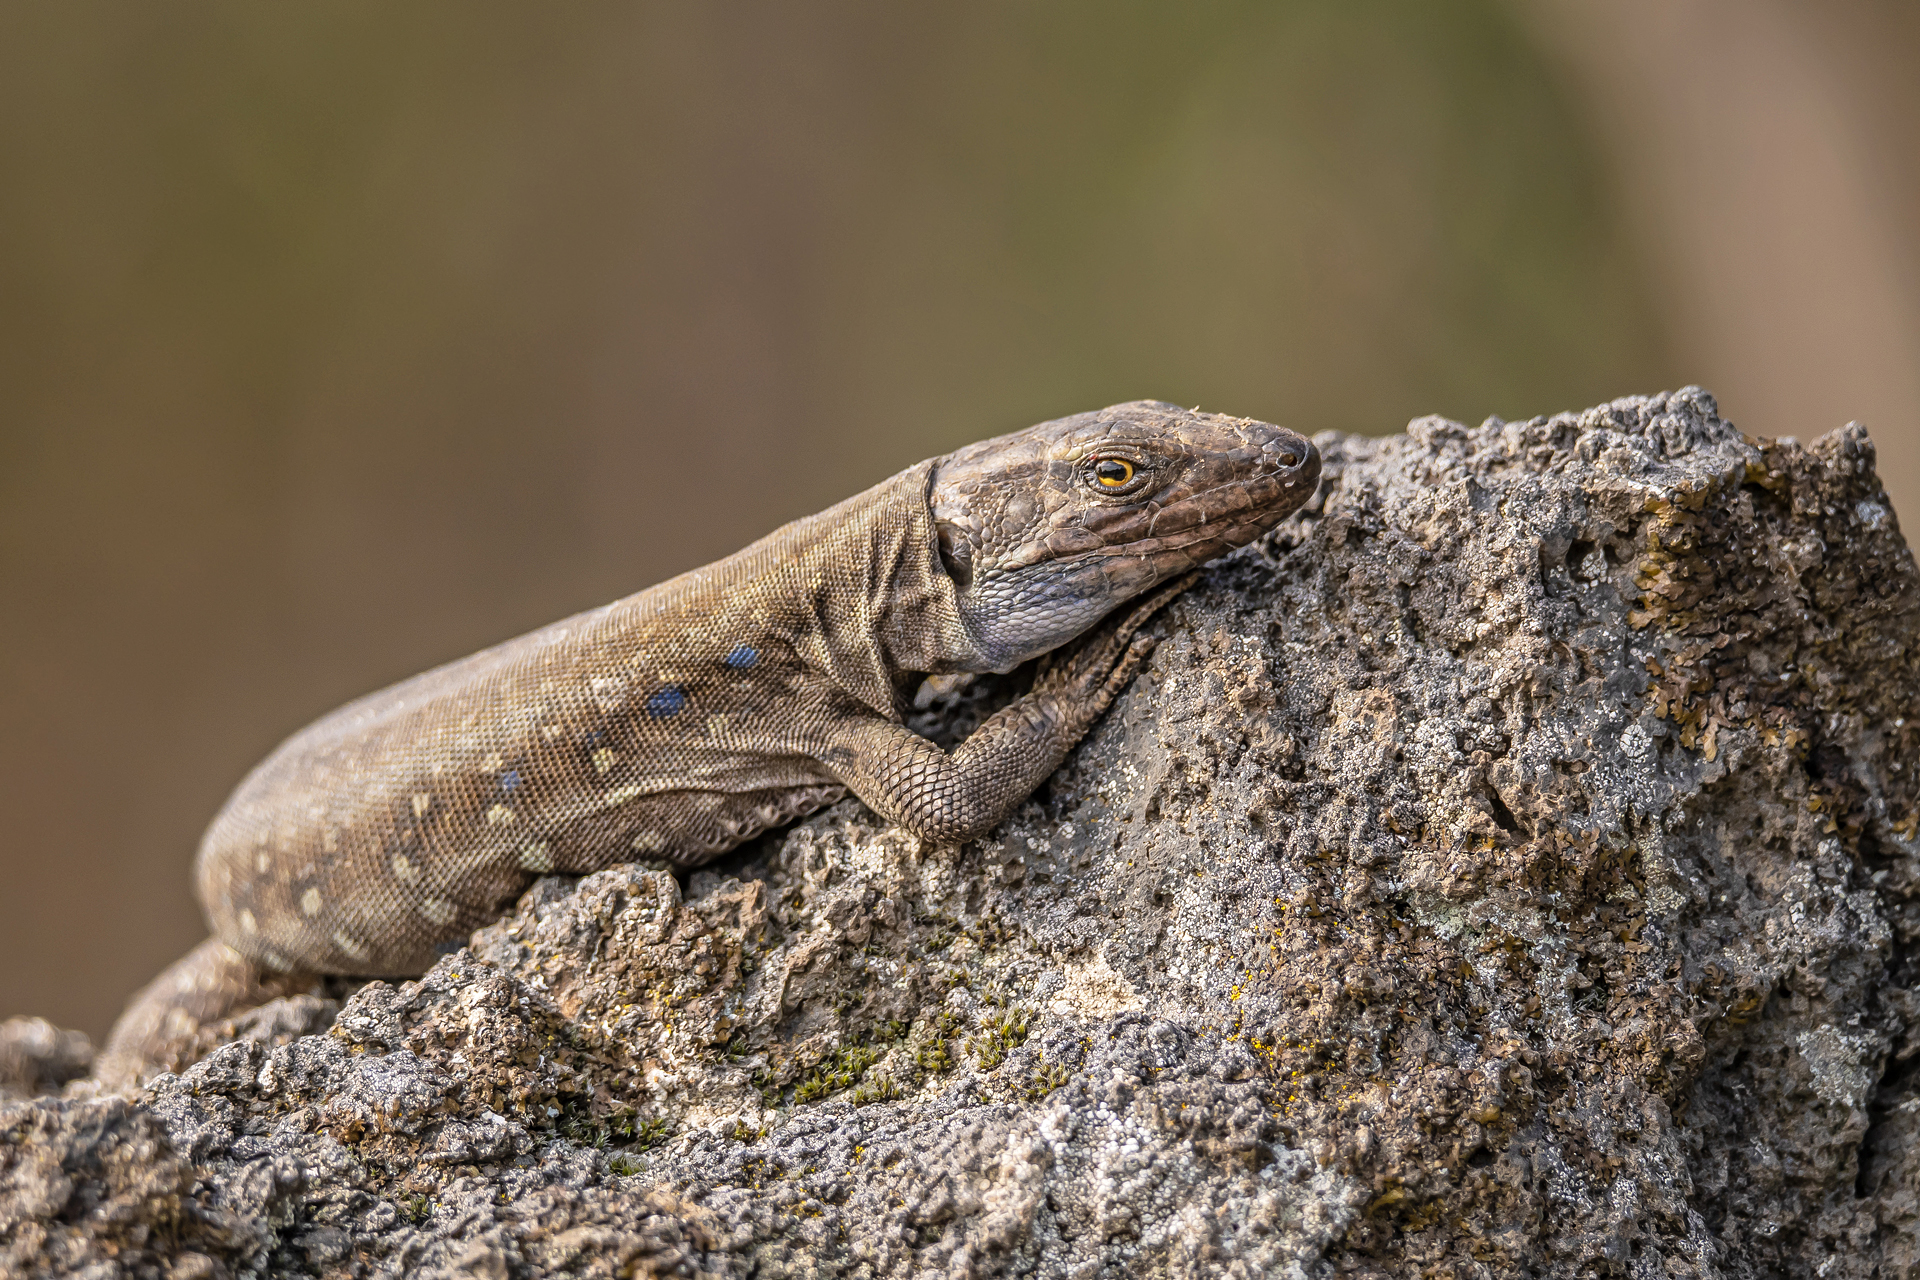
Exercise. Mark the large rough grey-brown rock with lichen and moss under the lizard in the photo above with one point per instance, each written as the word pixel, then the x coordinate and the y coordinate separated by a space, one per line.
pixel 1508 868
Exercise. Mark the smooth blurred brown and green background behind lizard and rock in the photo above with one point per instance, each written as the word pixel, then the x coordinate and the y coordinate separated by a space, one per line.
pixel 343 341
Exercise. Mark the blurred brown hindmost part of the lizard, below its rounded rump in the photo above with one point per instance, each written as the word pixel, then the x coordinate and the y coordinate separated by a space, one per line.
pixel 174 1020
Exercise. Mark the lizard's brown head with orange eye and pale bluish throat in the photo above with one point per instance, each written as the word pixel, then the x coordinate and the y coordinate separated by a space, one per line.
pixel 1047 531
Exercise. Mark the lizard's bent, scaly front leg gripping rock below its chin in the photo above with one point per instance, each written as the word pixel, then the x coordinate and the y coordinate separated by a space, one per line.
pixel 963 795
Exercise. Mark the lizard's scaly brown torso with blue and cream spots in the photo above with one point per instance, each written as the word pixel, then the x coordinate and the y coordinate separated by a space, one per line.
pixel 671 724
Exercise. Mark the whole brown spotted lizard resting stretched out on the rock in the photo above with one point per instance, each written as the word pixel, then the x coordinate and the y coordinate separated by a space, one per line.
pixel 684 721
